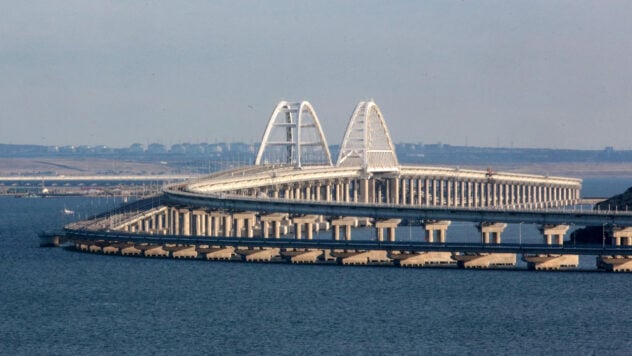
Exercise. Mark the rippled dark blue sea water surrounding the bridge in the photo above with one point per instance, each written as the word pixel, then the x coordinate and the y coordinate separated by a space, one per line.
pixel 56 301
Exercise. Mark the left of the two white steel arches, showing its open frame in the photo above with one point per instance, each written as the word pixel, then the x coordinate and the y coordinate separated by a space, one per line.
pixel 294 136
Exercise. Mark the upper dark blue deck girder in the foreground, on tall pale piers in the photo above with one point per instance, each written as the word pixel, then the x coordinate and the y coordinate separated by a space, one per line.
pixel 395 211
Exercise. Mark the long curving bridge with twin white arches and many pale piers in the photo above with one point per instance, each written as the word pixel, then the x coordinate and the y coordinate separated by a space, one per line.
pixel 295 189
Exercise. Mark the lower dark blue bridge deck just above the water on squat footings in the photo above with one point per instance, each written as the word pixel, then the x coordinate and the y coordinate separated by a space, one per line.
pixel 360 245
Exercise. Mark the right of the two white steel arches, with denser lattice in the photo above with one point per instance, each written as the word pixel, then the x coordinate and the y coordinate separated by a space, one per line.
pixel 367 142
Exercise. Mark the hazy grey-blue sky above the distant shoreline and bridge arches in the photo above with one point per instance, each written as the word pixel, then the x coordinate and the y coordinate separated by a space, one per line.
pixel 551 74
